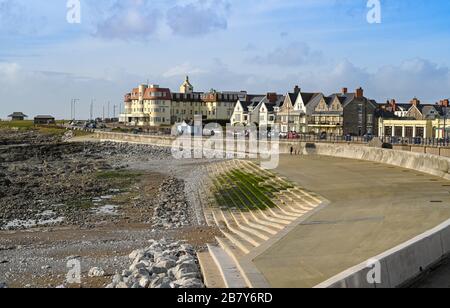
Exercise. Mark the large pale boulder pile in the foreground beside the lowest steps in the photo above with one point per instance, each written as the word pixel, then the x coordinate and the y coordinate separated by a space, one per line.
pixel 163 264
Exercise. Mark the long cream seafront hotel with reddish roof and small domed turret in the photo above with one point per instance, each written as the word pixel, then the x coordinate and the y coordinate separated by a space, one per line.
pixel 153 106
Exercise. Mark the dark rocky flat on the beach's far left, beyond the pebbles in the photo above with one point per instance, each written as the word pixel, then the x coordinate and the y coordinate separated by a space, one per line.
pixel 57 184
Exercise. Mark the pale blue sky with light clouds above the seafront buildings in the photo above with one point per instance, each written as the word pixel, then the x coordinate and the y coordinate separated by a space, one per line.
pixel 229 45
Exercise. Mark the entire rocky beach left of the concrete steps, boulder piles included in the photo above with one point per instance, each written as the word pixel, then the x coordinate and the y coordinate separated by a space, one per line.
pixel 54 190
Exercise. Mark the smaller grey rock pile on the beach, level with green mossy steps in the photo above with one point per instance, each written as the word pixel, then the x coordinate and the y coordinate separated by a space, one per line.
pixel 171 207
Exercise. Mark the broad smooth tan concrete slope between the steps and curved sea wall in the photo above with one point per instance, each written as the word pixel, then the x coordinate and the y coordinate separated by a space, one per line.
pixel 373 208
